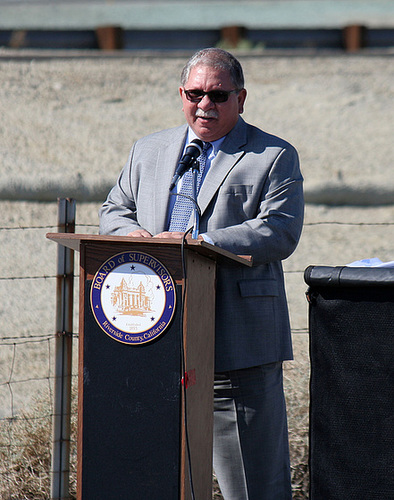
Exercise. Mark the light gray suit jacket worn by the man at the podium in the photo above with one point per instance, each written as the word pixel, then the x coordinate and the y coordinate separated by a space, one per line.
pixel 252 204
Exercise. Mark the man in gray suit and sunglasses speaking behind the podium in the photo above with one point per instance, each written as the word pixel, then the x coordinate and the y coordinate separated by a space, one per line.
pixel 251 204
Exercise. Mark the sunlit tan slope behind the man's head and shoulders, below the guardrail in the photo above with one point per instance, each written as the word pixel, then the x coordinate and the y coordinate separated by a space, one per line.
pixel 68 124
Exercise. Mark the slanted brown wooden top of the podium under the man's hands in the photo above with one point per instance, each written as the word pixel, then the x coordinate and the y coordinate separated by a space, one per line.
pixel 74 242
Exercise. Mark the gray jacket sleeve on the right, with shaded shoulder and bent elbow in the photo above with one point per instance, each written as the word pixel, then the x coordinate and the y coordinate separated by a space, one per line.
pixel 273 231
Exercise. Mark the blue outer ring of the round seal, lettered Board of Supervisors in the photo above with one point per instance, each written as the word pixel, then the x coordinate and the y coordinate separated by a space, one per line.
pixel 106 324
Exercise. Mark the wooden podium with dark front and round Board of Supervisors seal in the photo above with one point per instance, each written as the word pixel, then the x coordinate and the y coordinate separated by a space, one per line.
pixel 145 408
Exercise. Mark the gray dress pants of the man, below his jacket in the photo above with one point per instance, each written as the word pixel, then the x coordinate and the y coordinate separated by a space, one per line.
pixel 251 450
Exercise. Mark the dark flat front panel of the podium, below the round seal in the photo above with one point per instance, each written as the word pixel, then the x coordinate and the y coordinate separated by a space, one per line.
pixel 137 454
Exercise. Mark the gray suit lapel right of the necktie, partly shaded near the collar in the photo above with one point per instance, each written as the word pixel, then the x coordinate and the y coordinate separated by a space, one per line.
pixel 230 153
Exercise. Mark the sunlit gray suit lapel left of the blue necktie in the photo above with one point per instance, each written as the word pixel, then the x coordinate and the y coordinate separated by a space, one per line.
pixel 167 160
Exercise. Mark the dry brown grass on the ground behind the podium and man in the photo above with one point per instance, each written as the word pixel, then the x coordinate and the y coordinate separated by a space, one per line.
pixel 25 446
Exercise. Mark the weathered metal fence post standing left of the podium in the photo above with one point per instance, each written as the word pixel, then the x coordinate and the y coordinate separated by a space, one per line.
pixel 63 357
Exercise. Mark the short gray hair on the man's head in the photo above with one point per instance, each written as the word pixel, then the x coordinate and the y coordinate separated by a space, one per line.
pixel 219 59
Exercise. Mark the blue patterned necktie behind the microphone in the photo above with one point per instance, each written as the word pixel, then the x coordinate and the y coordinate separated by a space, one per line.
pixel 183 207
